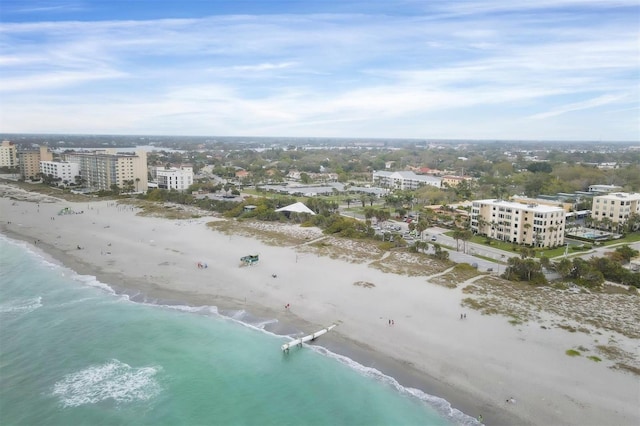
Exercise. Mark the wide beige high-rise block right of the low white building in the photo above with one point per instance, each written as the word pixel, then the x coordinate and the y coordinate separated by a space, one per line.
pixel 102 169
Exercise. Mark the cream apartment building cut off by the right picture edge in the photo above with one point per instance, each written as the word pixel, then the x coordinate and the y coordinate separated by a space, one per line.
pixel 615 208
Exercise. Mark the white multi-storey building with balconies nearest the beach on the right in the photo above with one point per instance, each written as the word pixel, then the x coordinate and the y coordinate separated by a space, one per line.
pixel 529 224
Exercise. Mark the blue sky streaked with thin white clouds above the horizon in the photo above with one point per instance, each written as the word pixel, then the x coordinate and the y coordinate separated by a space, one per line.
pixel 426 69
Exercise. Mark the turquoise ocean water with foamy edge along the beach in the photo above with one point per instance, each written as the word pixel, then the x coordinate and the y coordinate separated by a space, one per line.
pixel 72 352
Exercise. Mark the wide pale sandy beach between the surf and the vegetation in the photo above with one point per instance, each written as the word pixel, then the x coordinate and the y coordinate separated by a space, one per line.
pixel 477 363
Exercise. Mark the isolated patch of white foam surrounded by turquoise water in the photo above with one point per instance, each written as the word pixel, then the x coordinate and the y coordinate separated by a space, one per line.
pixel 113 380
